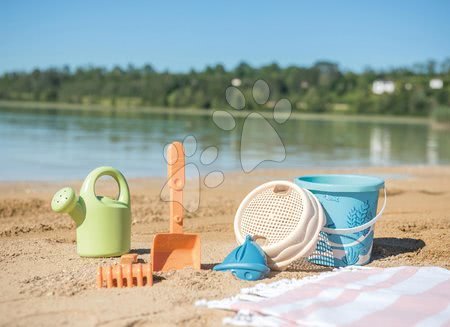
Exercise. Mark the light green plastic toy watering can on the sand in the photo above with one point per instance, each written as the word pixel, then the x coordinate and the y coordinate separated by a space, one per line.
pixel 103 224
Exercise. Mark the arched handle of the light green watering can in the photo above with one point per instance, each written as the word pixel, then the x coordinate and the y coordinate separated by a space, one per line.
pixel 88 187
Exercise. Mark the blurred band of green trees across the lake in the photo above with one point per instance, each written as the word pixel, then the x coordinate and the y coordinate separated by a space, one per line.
pixel 322 87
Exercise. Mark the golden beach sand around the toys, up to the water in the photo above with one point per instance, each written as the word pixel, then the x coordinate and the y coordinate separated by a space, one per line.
pixel 44 282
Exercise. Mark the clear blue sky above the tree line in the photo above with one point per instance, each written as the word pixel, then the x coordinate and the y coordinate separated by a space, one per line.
pixel 182 35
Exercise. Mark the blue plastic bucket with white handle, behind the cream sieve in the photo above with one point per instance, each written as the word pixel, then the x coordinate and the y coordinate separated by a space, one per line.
pixel 350 206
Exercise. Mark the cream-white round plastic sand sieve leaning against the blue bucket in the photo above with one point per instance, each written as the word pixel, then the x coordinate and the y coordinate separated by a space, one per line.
pixel 286 216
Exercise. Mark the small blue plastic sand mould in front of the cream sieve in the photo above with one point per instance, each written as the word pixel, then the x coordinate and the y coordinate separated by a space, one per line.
pixel 247 261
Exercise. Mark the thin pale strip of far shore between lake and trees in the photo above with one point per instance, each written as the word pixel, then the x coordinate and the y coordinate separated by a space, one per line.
pixel 27 106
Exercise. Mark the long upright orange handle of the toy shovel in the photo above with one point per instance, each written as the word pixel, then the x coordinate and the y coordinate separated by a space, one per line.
pixel 176 180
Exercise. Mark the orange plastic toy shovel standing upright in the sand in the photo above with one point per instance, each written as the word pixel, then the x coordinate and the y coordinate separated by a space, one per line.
pixel 176 250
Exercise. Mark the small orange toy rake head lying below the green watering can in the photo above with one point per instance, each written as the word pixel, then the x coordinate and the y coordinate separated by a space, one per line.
pixel 128 273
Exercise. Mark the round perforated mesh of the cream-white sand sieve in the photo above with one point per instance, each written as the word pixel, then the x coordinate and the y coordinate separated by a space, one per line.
pixel 272 216
